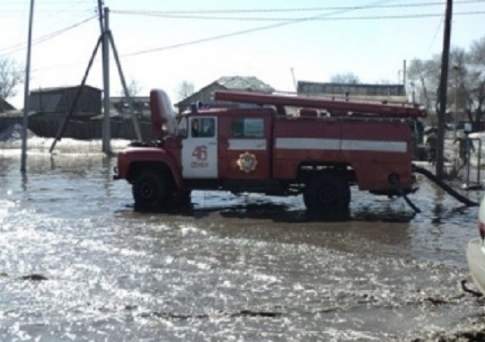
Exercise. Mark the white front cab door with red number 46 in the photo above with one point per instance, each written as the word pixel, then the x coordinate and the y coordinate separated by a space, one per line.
pixel 199 149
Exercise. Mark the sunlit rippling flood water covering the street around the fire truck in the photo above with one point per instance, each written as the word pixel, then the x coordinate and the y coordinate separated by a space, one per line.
pixel 235 268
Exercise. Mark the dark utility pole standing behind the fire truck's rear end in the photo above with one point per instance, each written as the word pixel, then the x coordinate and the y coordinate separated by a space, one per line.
pixel 443 89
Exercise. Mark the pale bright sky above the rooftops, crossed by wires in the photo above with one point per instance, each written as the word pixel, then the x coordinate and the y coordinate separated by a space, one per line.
pixel 331 43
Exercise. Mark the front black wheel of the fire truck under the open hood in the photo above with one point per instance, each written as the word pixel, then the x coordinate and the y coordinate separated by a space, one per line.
pixel 150 189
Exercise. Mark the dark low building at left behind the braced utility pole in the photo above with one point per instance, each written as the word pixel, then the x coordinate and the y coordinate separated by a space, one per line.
pixel 60 100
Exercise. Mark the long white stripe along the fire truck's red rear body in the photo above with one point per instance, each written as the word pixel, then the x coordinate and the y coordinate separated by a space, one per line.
pixel 341 145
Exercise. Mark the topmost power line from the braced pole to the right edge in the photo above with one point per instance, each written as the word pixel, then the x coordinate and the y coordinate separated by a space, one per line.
pixel 298 9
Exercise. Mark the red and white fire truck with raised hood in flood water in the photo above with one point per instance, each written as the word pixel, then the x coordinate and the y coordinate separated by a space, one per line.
pixel 273 144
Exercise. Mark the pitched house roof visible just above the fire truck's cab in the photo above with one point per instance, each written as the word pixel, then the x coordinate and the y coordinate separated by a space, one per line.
pixel 206 94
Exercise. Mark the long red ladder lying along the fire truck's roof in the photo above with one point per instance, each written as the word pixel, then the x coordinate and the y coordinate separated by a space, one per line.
pixel 335 107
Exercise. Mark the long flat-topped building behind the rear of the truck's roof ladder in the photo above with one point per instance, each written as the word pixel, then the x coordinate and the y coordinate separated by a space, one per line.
pixel 358 91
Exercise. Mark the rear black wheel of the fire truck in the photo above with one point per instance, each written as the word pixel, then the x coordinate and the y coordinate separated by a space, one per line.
pixel 327 193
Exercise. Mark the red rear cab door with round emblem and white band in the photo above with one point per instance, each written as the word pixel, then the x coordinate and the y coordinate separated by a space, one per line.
pixel 245 154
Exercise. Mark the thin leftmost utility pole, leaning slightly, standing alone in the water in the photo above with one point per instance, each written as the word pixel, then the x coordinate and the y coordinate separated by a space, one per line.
pixel 25 121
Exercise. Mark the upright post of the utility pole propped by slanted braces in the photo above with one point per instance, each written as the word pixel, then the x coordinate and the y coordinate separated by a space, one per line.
pixel 104 27
